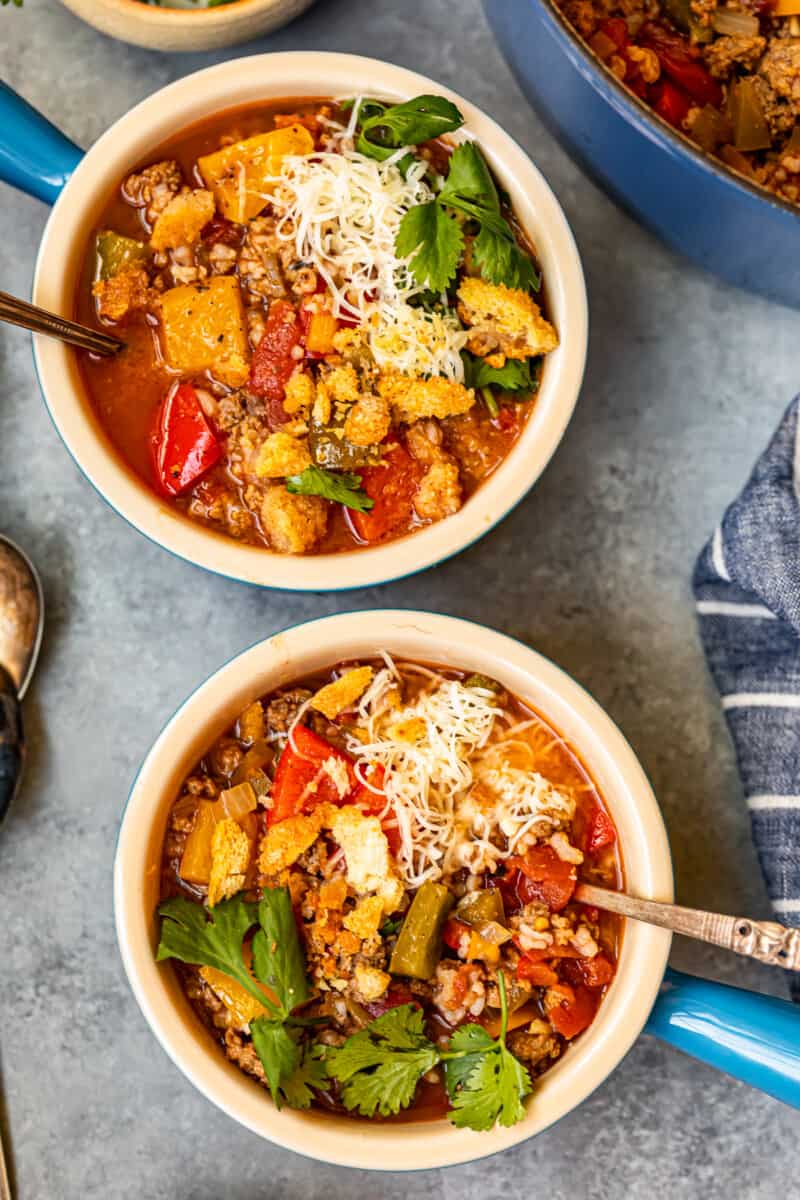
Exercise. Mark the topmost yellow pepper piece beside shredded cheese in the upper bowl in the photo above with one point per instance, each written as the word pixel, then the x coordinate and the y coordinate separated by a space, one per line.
pixel 239 175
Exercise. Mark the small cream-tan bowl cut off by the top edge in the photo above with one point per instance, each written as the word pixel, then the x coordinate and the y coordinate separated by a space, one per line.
pixel 183 29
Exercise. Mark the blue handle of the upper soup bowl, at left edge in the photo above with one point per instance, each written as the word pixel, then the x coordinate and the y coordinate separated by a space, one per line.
pixel 34 155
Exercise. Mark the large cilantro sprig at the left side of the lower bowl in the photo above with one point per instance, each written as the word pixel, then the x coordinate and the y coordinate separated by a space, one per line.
pixel 215 939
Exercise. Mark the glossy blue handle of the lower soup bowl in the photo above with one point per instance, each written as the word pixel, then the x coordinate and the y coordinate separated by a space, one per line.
pixel 753 1037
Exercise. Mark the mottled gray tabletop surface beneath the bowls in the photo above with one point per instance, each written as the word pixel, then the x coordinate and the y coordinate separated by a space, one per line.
pixel 687 380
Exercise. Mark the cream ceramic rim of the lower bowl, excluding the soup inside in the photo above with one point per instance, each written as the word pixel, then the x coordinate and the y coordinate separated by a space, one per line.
pixel 434 639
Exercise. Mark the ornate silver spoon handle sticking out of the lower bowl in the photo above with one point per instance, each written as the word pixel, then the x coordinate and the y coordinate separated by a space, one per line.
pixel 763 940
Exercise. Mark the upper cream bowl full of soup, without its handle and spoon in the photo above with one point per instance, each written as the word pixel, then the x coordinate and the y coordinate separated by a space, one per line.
pixel 354 317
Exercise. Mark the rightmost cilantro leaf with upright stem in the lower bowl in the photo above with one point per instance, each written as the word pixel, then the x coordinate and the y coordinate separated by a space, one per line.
pixel 488 1084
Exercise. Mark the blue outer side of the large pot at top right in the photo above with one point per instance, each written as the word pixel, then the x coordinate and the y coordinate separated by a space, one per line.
pixel 695 203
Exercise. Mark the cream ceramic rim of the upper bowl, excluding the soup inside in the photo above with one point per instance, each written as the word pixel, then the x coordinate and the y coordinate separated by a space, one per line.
pixel 264 77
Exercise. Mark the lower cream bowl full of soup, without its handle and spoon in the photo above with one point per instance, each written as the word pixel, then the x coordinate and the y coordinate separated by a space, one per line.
pixel 345 891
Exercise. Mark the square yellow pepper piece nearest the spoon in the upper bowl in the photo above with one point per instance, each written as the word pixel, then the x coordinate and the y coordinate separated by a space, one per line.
pixel 203 329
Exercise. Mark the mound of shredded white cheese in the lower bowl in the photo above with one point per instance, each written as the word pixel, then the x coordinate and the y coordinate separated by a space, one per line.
pixel 459 788
